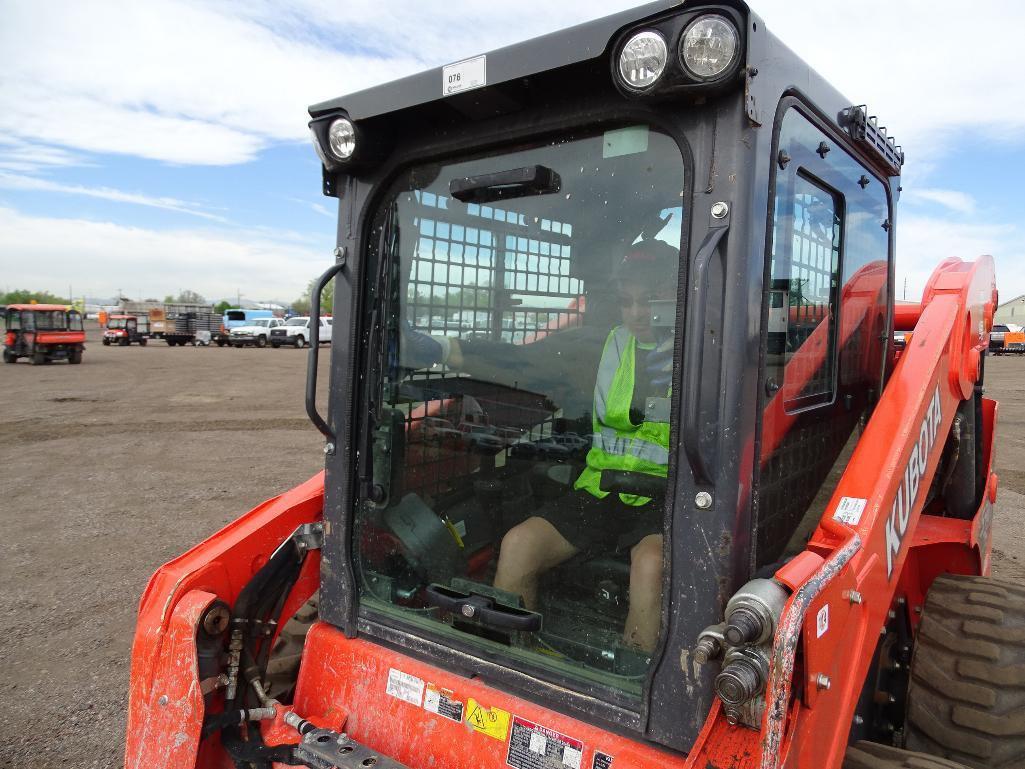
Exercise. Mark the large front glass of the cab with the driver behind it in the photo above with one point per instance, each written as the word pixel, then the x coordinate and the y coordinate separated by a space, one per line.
pixel 526 339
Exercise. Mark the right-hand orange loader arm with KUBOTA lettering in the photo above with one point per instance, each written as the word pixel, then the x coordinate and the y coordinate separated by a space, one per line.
pixel 856 569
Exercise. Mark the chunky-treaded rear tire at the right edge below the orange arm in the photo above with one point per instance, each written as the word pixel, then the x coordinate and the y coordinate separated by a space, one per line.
pixel 967 696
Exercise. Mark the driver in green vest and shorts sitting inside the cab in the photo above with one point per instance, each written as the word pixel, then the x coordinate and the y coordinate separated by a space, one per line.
pixel 631 376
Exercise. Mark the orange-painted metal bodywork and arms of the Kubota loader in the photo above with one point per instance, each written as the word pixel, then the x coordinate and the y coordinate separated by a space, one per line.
pixel 891 551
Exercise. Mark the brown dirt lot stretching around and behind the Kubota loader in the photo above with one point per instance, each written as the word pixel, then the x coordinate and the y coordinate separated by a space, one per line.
pixel 109 469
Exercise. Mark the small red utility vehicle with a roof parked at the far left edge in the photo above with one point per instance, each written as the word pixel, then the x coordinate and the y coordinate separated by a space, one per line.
pixel 44 334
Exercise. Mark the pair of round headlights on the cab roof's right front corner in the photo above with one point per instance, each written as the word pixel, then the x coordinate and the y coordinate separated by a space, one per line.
pixel 708 49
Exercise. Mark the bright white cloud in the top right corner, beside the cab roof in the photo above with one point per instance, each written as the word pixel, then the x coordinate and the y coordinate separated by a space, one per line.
pixel 928 70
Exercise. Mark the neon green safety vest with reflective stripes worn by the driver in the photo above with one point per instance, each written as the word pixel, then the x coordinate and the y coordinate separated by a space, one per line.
pixel 618 443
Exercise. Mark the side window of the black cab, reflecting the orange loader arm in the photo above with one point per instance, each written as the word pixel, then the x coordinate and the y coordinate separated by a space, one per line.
pixel 829 282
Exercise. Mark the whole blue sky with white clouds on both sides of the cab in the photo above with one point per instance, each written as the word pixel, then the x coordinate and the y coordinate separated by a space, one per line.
pixel 152 146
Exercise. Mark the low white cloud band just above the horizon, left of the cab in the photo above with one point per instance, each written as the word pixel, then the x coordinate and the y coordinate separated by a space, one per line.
pixel 44 253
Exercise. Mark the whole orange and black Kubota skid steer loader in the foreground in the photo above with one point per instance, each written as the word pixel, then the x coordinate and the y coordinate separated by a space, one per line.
pixel 824 509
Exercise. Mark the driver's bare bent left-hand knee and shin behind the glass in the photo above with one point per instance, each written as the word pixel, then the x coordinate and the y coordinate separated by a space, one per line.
pixel 527 552
